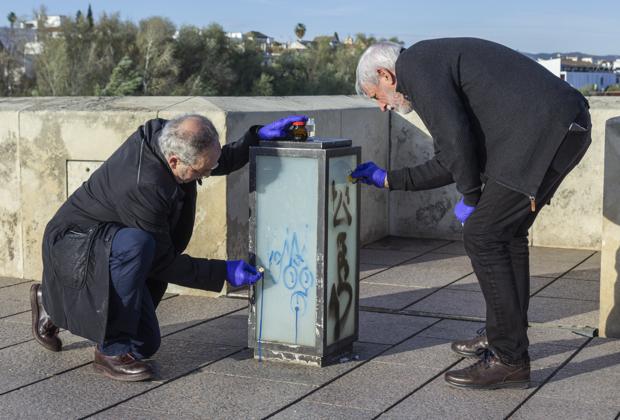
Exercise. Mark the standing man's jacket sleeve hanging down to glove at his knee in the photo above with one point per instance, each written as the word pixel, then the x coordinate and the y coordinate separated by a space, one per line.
pixel 432 81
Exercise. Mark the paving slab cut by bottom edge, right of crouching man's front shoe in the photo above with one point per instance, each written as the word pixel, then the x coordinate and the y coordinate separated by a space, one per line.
pixel 219 396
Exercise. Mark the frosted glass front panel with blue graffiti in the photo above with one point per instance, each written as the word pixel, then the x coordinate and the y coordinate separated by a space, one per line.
pixel 286 245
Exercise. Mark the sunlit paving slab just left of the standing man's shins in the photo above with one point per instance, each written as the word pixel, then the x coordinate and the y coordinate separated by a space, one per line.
pixel 430 270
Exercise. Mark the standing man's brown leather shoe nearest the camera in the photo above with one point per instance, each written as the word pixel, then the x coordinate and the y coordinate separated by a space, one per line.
pixel 490 373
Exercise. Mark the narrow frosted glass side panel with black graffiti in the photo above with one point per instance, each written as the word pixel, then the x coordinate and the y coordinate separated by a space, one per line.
pixel 342 244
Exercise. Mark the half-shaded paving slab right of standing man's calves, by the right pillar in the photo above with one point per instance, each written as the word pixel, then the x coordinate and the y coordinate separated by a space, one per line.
pixel 554 311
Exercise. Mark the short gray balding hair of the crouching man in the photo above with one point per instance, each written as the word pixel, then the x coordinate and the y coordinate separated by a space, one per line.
pixel 175 139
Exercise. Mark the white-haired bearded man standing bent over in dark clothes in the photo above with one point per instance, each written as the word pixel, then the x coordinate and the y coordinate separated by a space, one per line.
pixel 507 132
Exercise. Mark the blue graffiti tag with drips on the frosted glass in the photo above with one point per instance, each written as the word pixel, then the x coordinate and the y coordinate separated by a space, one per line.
pixel 288 267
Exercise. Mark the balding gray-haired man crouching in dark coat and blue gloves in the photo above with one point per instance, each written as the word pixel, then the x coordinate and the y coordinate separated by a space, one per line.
pixel 115 244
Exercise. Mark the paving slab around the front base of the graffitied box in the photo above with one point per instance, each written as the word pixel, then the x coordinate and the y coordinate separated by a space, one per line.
pixel 244 365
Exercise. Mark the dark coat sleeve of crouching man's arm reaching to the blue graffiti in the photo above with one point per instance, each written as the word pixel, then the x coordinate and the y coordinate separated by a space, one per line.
pixel 149 211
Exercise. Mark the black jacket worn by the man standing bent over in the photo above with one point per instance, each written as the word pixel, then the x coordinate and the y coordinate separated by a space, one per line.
pixel 491 111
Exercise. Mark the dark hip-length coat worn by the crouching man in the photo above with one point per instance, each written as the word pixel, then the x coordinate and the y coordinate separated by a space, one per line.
pixel 133 188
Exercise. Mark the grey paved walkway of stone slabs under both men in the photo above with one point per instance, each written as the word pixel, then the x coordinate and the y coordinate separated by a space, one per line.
pixel 416 296
